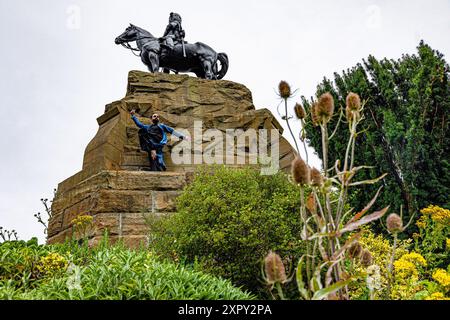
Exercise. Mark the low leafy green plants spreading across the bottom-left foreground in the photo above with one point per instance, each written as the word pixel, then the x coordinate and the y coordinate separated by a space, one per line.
pixel 70 271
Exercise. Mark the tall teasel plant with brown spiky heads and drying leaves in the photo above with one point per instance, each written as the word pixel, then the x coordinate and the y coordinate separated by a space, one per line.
pixel 327 222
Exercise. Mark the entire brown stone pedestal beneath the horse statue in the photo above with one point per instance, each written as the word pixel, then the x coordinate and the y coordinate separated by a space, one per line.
pixel 113 186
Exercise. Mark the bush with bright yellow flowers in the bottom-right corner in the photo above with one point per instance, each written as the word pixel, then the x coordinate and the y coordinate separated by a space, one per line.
pixel 421 270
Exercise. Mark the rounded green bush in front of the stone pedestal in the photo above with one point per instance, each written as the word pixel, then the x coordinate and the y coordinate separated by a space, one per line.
pixel 229 220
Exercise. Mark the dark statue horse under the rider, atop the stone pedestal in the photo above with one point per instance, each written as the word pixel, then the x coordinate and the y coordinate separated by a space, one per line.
pixel 197 57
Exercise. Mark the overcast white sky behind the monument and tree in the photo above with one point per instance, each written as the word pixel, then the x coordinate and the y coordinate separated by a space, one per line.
pixel 59 66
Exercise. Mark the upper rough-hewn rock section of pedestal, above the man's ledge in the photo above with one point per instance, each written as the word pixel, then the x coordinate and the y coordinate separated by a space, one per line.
pixel 181 101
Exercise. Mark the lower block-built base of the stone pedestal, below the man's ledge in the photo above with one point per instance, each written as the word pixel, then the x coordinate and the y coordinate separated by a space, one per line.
pixel 118 201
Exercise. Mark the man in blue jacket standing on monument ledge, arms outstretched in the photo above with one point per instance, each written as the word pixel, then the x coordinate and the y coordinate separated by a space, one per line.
pixel 153 138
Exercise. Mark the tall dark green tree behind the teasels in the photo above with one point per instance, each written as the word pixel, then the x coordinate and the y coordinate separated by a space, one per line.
pixel 405 130
